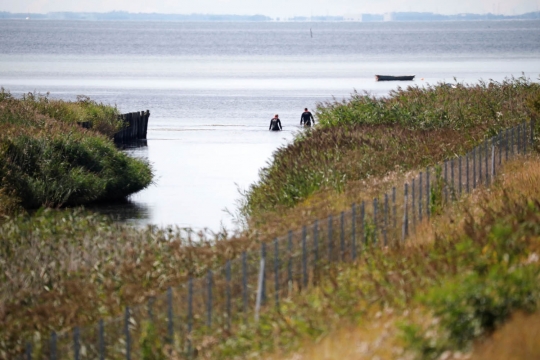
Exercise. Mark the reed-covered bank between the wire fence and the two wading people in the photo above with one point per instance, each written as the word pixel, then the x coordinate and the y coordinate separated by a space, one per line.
pixel 365 138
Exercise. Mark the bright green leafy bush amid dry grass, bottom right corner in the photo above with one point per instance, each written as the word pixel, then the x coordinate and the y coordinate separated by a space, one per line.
pixel 471 305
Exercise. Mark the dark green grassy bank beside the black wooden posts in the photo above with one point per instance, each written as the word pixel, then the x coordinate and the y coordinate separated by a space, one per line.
pixel 48 160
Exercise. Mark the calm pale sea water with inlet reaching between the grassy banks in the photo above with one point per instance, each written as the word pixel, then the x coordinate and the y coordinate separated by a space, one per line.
pixel 213 87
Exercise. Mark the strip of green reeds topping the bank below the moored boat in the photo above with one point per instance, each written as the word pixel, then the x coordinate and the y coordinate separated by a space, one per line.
pixel 492 105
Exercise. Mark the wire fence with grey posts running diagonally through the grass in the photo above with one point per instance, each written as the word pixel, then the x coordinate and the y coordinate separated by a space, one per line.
pixel 183 319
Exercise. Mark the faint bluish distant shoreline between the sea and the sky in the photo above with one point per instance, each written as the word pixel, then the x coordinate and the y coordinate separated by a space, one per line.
pixel 350 16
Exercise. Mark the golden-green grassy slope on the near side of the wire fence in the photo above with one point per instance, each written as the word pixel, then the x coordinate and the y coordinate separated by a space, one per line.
pixel 445 292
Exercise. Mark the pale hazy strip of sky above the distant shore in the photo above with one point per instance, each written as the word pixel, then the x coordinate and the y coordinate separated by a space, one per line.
pixel 274 8
